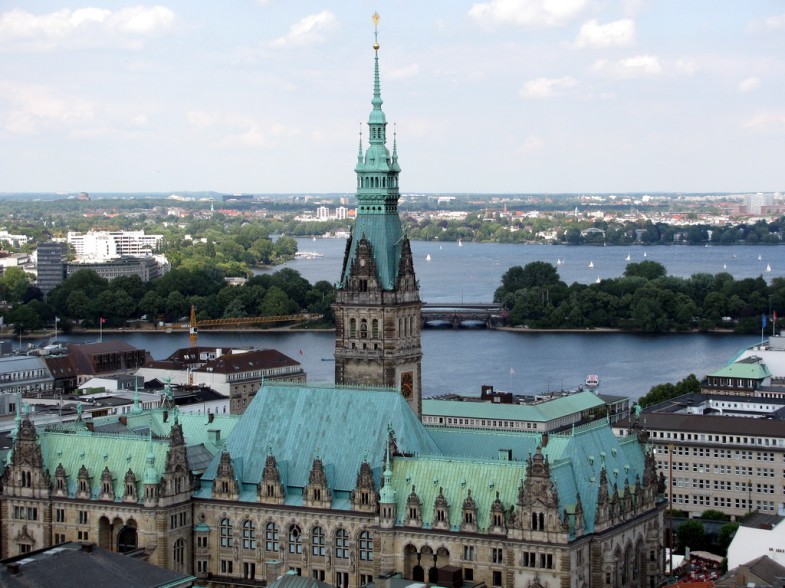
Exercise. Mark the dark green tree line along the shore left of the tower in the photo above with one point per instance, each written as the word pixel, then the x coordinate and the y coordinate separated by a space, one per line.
pixel 84 298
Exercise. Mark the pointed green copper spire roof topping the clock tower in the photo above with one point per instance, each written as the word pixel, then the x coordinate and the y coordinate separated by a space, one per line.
pixel 377 195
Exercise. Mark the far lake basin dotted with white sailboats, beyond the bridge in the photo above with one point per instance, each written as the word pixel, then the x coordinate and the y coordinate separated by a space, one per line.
pixel 473 271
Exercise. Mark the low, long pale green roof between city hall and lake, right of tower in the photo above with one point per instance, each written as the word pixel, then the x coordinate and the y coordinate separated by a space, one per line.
pixel 542 412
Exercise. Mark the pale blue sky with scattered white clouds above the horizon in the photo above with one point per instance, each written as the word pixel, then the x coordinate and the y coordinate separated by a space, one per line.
pixel 267 96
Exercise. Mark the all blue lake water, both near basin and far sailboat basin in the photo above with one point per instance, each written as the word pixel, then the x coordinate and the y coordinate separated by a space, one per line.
pixel 523 362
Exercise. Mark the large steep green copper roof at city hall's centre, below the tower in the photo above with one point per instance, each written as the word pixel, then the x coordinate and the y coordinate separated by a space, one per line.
pixel 340 424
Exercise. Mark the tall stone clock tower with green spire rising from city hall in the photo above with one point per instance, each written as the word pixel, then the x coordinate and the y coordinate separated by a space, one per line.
pixel 377 308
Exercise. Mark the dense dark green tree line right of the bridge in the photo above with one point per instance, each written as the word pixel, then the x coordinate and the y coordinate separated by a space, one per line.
pixel 644 299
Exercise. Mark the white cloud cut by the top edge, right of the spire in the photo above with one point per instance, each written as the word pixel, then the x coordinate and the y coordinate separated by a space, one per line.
pixel 548 13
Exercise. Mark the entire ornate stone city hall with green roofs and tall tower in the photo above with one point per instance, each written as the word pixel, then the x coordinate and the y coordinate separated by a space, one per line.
pixel 344 483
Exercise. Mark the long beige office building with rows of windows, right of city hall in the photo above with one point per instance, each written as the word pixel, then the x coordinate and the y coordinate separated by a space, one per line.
pixel 719 452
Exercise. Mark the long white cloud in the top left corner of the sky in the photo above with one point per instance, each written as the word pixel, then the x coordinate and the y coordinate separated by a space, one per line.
pixel 84 27
